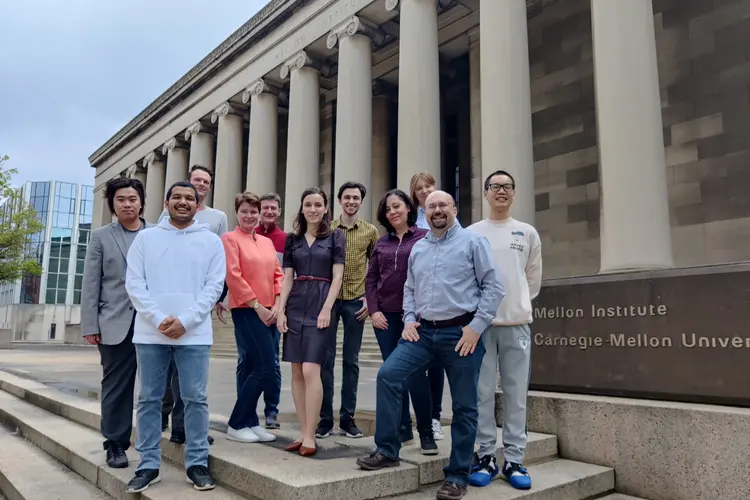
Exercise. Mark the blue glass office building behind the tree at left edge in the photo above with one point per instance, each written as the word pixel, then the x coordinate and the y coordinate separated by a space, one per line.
pixel 65 211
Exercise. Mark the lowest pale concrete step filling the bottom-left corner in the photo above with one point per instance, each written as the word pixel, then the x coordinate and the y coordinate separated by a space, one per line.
pixel 28 473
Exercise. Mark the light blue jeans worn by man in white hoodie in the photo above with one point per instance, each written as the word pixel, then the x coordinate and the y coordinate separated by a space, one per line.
pixel 192 369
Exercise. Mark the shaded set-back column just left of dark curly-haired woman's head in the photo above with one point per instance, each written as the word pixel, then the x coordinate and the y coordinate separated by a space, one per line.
pixel 381 179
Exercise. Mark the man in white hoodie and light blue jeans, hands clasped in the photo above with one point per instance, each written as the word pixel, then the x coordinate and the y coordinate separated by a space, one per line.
pixel 175 275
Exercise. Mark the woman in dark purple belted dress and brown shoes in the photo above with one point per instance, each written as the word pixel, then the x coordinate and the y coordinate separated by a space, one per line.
pixel 313 269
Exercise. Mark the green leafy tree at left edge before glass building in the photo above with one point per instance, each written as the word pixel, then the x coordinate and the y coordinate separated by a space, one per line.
pixel 17 223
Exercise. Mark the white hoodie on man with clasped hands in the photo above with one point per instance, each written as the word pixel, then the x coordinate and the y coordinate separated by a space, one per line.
pixel 175 272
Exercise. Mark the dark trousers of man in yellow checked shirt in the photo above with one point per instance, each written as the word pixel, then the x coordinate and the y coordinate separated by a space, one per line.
pixel 353 329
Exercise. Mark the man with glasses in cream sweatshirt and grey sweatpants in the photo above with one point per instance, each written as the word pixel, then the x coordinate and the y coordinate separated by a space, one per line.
pixel 517 250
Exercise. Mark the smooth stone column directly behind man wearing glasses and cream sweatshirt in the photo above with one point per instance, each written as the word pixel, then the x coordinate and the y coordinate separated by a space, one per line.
pixel 506 100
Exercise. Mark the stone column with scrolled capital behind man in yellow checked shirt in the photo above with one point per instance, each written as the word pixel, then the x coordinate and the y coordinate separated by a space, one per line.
pixel 354 109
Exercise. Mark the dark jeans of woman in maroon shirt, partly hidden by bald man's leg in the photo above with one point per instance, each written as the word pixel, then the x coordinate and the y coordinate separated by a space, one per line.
pixel 418 384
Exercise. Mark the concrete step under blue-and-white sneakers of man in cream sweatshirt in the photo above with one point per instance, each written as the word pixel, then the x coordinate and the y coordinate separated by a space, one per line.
pixel 557 479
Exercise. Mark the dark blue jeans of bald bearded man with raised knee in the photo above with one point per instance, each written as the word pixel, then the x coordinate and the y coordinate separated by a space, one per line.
pixel 410 358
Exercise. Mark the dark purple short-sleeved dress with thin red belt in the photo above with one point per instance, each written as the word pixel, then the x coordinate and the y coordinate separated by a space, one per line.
pixel 313 267
